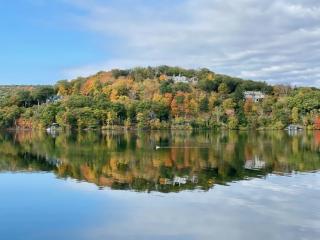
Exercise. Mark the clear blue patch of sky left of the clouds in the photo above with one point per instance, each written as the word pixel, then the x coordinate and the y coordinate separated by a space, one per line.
pixel 37 42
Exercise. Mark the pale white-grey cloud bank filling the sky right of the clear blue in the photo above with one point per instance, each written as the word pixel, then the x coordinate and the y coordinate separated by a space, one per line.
pixel 272 40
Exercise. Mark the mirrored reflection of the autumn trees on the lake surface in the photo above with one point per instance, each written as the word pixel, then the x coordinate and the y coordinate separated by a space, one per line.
pixel 184 161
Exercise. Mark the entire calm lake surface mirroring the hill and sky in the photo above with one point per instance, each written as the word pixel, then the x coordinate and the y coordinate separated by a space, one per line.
pixel 160 185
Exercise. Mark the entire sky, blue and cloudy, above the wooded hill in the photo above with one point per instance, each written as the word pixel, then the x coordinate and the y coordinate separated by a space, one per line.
pixel 277 41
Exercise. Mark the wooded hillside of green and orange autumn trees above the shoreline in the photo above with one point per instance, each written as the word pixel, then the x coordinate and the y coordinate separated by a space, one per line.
pixel 151 98
